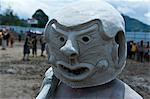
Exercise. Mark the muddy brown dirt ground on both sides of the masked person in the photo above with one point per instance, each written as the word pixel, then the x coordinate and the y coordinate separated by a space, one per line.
pixel 22 80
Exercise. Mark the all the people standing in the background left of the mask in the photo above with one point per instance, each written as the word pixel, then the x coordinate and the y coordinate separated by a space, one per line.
pixel 8 37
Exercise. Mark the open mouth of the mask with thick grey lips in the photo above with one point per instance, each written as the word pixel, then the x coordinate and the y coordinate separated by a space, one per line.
pixel 75 72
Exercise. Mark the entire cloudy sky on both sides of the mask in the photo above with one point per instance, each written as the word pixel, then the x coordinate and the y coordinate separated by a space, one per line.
pixel 139 9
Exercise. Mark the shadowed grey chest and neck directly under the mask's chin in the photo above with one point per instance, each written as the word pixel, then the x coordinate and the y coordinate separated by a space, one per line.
pixel 114 89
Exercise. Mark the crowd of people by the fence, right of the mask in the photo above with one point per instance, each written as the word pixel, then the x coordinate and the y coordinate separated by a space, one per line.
pixel 139 51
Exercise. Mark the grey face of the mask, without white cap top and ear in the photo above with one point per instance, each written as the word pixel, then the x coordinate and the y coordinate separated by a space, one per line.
pixel 80 56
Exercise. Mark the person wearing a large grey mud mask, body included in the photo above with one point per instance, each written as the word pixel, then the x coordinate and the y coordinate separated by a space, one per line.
pixel 86 47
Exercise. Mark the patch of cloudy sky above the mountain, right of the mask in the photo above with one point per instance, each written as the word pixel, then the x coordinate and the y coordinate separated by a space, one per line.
pixel 133 8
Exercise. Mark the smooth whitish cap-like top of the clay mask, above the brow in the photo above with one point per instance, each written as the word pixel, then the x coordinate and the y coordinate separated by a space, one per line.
pixel 111 19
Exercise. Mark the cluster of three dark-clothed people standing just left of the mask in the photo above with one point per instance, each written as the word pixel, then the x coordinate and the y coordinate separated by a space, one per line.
pixel 31 41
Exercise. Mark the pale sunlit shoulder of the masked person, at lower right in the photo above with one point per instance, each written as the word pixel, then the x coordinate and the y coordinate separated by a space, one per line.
pixel 130 93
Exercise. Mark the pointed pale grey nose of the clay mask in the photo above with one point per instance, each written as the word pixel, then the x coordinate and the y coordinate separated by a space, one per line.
pixel 69 50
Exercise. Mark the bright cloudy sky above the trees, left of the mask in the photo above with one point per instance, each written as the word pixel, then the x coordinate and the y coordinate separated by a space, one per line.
pixel 26 8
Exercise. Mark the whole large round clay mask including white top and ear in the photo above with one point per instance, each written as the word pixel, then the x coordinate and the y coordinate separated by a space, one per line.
pixel 87 45
